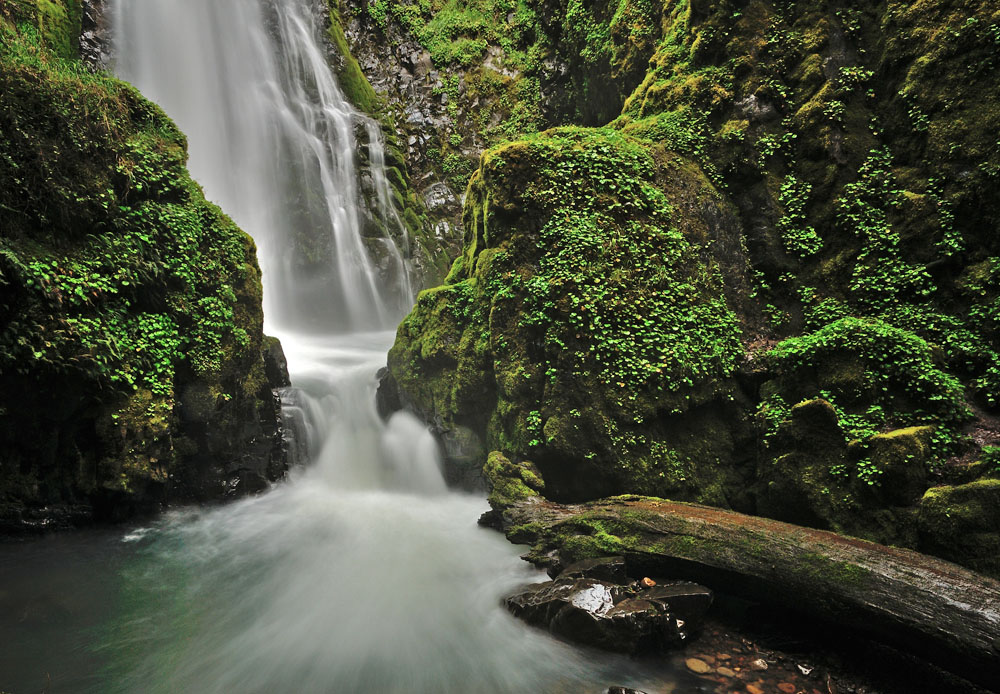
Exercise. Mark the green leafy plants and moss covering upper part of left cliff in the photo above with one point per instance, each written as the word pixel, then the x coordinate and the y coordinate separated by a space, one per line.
pixel 122 272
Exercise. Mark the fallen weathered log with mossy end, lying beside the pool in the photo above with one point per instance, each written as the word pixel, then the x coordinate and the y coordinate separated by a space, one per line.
pixel 928 607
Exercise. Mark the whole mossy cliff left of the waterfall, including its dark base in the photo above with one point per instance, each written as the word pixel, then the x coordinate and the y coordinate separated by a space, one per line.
pixel 132 359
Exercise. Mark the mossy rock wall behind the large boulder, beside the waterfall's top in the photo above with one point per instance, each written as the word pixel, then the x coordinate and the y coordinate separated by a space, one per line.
pixel 514 67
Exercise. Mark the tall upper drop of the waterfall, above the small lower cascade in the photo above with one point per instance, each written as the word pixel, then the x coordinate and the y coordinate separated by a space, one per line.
pixel 272 140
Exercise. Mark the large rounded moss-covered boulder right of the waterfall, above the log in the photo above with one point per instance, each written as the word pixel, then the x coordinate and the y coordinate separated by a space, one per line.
pixel 585 325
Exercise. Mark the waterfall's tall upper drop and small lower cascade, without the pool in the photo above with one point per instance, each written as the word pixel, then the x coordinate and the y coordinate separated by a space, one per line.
pixel 275 143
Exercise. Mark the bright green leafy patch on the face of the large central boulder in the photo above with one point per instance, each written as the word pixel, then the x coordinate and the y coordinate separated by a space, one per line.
pixel 608 246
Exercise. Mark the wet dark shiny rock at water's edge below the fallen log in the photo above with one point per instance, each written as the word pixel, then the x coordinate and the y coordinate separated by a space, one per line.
pixel 612 612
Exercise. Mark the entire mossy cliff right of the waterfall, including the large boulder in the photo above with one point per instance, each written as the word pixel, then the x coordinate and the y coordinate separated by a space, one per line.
pixel 832 360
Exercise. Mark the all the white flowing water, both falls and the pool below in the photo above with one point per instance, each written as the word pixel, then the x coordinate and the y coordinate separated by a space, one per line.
pixel 362 572
